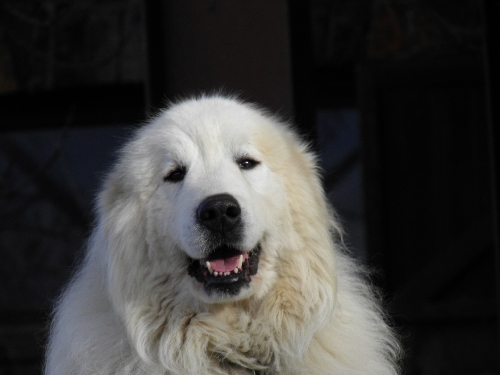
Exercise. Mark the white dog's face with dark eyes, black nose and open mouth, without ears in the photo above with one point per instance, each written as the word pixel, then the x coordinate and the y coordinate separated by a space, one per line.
pixel 219 199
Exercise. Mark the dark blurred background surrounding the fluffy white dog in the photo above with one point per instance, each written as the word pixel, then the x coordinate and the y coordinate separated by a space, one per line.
pixel 398 97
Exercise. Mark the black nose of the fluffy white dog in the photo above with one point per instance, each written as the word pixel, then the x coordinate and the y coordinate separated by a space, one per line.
pixel 219 213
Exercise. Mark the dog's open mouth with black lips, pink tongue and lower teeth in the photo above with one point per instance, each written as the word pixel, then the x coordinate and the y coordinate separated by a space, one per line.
pixel 226 270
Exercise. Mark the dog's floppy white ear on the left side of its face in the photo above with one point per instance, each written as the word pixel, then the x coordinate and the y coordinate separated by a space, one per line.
pixel 123 218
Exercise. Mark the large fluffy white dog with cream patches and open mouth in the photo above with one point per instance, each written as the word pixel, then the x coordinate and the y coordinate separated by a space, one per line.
pixel 215 252
